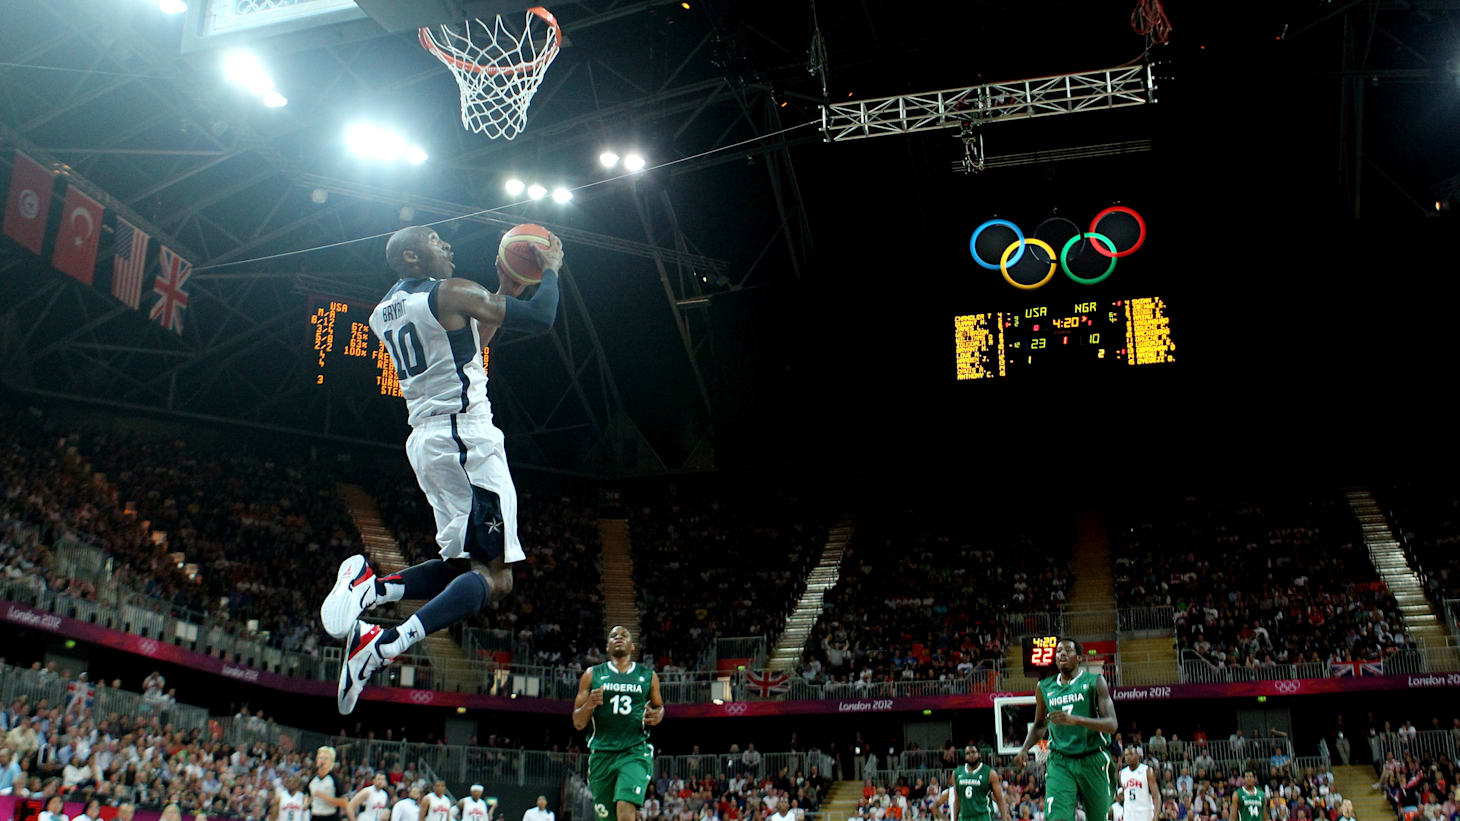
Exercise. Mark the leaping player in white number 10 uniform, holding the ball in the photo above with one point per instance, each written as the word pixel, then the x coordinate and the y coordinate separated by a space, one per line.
pixel 434 327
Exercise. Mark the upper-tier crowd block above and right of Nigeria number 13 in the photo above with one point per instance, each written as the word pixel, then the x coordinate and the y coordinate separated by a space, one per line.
pixel 715 559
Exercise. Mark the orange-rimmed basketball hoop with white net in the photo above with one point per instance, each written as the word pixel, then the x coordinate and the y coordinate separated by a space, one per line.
pixel 497 69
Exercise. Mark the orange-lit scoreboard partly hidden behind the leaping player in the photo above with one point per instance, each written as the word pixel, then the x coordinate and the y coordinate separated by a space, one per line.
pixel 347 354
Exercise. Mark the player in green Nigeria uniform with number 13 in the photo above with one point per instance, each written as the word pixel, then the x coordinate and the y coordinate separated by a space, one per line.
pixel 621 700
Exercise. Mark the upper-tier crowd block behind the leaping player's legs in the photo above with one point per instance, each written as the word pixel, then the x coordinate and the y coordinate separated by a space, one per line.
pixel 556 613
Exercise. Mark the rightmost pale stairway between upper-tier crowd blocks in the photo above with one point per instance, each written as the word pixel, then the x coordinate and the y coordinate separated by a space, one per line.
pixel 1404 584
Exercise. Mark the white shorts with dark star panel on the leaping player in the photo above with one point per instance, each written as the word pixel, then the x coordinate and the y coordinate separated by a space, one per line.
pixel 455 459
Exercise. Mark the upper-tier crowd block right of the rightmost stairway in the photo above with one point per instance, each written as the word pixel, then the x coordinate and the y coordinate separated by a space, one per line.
pixel 1427 516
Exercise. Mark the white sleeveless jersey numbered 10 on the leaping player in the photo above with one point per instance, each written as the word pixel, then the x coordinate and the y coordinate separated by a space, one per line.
pixel 440 370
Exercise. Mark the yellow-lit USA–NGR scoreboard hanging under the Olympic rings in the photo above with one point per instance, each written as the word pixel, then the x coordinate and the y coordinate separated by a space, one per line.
pixel 1064 338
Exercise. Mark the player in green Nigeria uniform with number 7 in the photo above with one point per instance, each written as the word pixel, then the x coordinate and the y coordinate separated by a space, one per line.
pixel 1077 709
